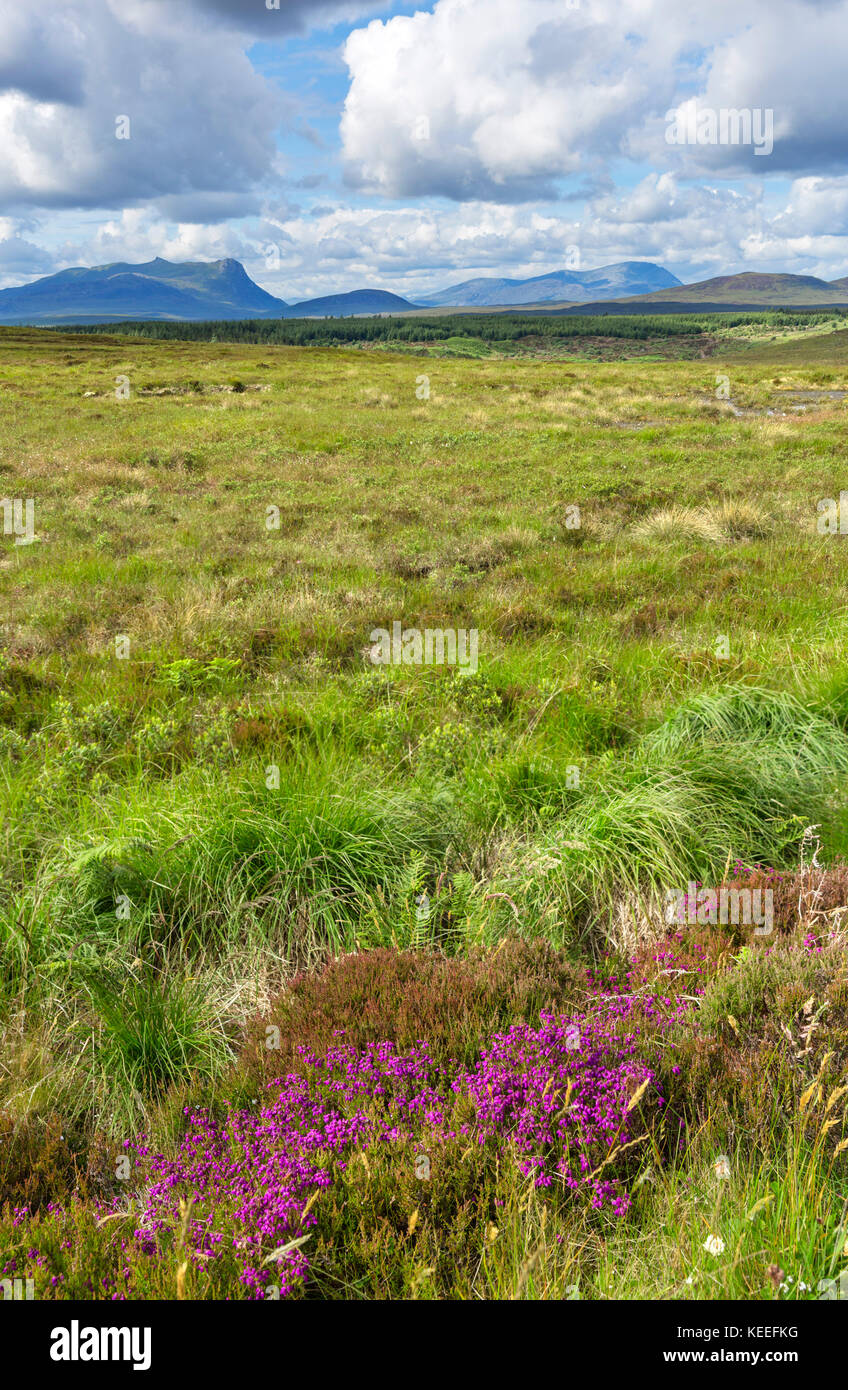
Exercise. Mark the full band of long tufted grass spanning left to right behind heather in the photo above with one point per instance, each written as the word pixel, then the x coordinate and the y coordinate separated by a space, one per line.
pixel 329 862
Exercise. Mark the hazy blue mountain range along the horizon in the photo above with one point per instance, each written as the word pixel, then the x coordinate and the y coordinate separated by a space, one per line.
pixel 162 290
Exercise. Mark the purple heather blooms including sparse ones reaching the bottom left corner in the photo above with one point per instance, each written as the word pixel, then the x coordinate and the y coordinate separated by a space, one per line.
pixel 566 1097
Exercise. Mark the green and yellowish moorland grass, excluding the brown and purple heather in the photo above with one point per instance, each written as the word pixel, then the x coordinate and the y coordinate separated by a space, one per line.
pixel 243 796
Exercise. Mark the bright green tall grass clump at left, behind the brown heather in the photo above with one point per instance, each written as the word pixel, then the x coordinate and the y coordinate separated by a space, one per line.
pixel 304 867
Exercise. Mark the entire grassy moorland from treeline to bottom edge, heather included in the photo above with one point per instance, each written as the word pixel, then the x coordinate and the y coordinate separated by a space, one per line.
pixel 280 924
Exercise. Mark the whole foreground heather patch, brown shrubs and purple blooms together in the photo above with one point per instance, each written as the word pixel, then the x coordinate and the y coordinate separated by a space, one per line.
pixel 357 1157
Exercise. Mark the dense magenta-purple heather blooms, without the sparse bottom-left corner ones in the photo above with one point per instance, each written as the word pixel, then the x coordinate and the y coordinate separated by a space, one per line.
pixel 562 1095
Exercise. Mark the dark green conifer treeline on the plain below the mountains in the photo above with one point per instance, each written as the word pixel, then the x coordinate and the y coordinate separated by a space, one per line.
pixel 489 327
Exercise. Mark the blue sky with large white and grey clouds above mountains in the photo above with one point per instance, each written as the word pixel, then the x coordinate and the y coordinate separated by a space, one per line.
pixel 333 145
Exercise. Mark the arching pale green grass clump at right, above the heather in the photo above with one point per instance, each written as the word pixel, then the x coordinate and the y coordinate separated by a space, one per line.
pixel 733 772
